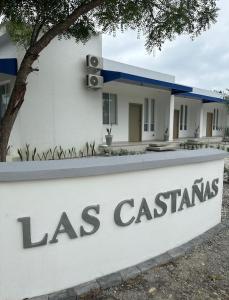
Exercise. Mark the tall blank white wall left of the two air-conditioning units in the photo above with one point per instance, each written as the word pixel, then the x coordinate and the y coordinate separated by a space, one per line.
pixel 58 108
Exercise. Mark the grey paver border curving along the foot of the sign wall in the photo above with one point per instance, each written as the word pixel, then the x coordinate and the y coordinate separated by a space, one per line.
pixel 132 272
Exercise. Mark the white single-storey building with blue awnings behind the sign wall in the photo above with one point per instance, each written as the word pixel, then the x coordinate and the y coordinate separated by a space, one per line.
pixel 141 105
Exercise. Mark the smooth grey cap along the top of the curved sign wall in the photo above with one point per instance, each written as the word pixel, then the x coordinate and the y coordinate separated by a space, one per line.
pixel 95 166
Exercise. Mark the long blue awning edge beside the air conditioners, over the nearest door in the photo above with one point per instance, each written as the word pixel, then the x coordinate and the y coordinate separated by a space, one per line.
pixel 144 81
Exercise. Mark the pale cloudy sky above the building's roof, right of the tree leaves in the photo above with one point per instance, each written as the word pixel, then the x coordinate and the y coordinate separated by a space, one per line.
pixel 202 63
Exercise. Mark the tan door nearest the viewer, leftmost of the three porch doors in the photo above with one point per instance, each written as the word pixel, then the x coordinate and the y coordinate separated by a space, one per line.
pixel 135 122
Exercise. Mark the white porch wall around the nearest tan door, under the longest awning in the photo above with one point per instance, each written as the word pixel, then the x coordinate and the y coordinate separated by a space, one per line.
pixel 127 94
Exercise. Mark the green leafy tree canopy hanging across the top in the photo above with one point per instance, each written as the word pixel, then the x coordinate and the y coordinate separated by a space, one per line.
pixel 157 20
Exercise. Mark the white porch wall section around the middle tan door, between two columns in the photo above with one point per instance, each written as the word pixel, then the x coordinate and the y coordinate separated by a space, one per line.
pixel 194 108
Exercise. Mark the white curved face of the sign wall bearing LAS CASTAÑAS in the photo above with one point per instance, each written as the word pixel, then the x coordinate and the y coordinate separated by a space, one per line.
pixel 26 273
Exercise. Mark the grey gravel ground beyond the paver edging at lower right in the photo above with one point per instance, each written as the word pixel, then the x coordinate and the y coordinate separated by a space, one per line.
pixel 202 274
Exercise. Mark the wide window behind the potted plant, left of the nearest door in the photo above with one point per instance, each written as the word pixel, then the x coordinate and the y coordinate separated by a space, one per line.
pixel 109 108
